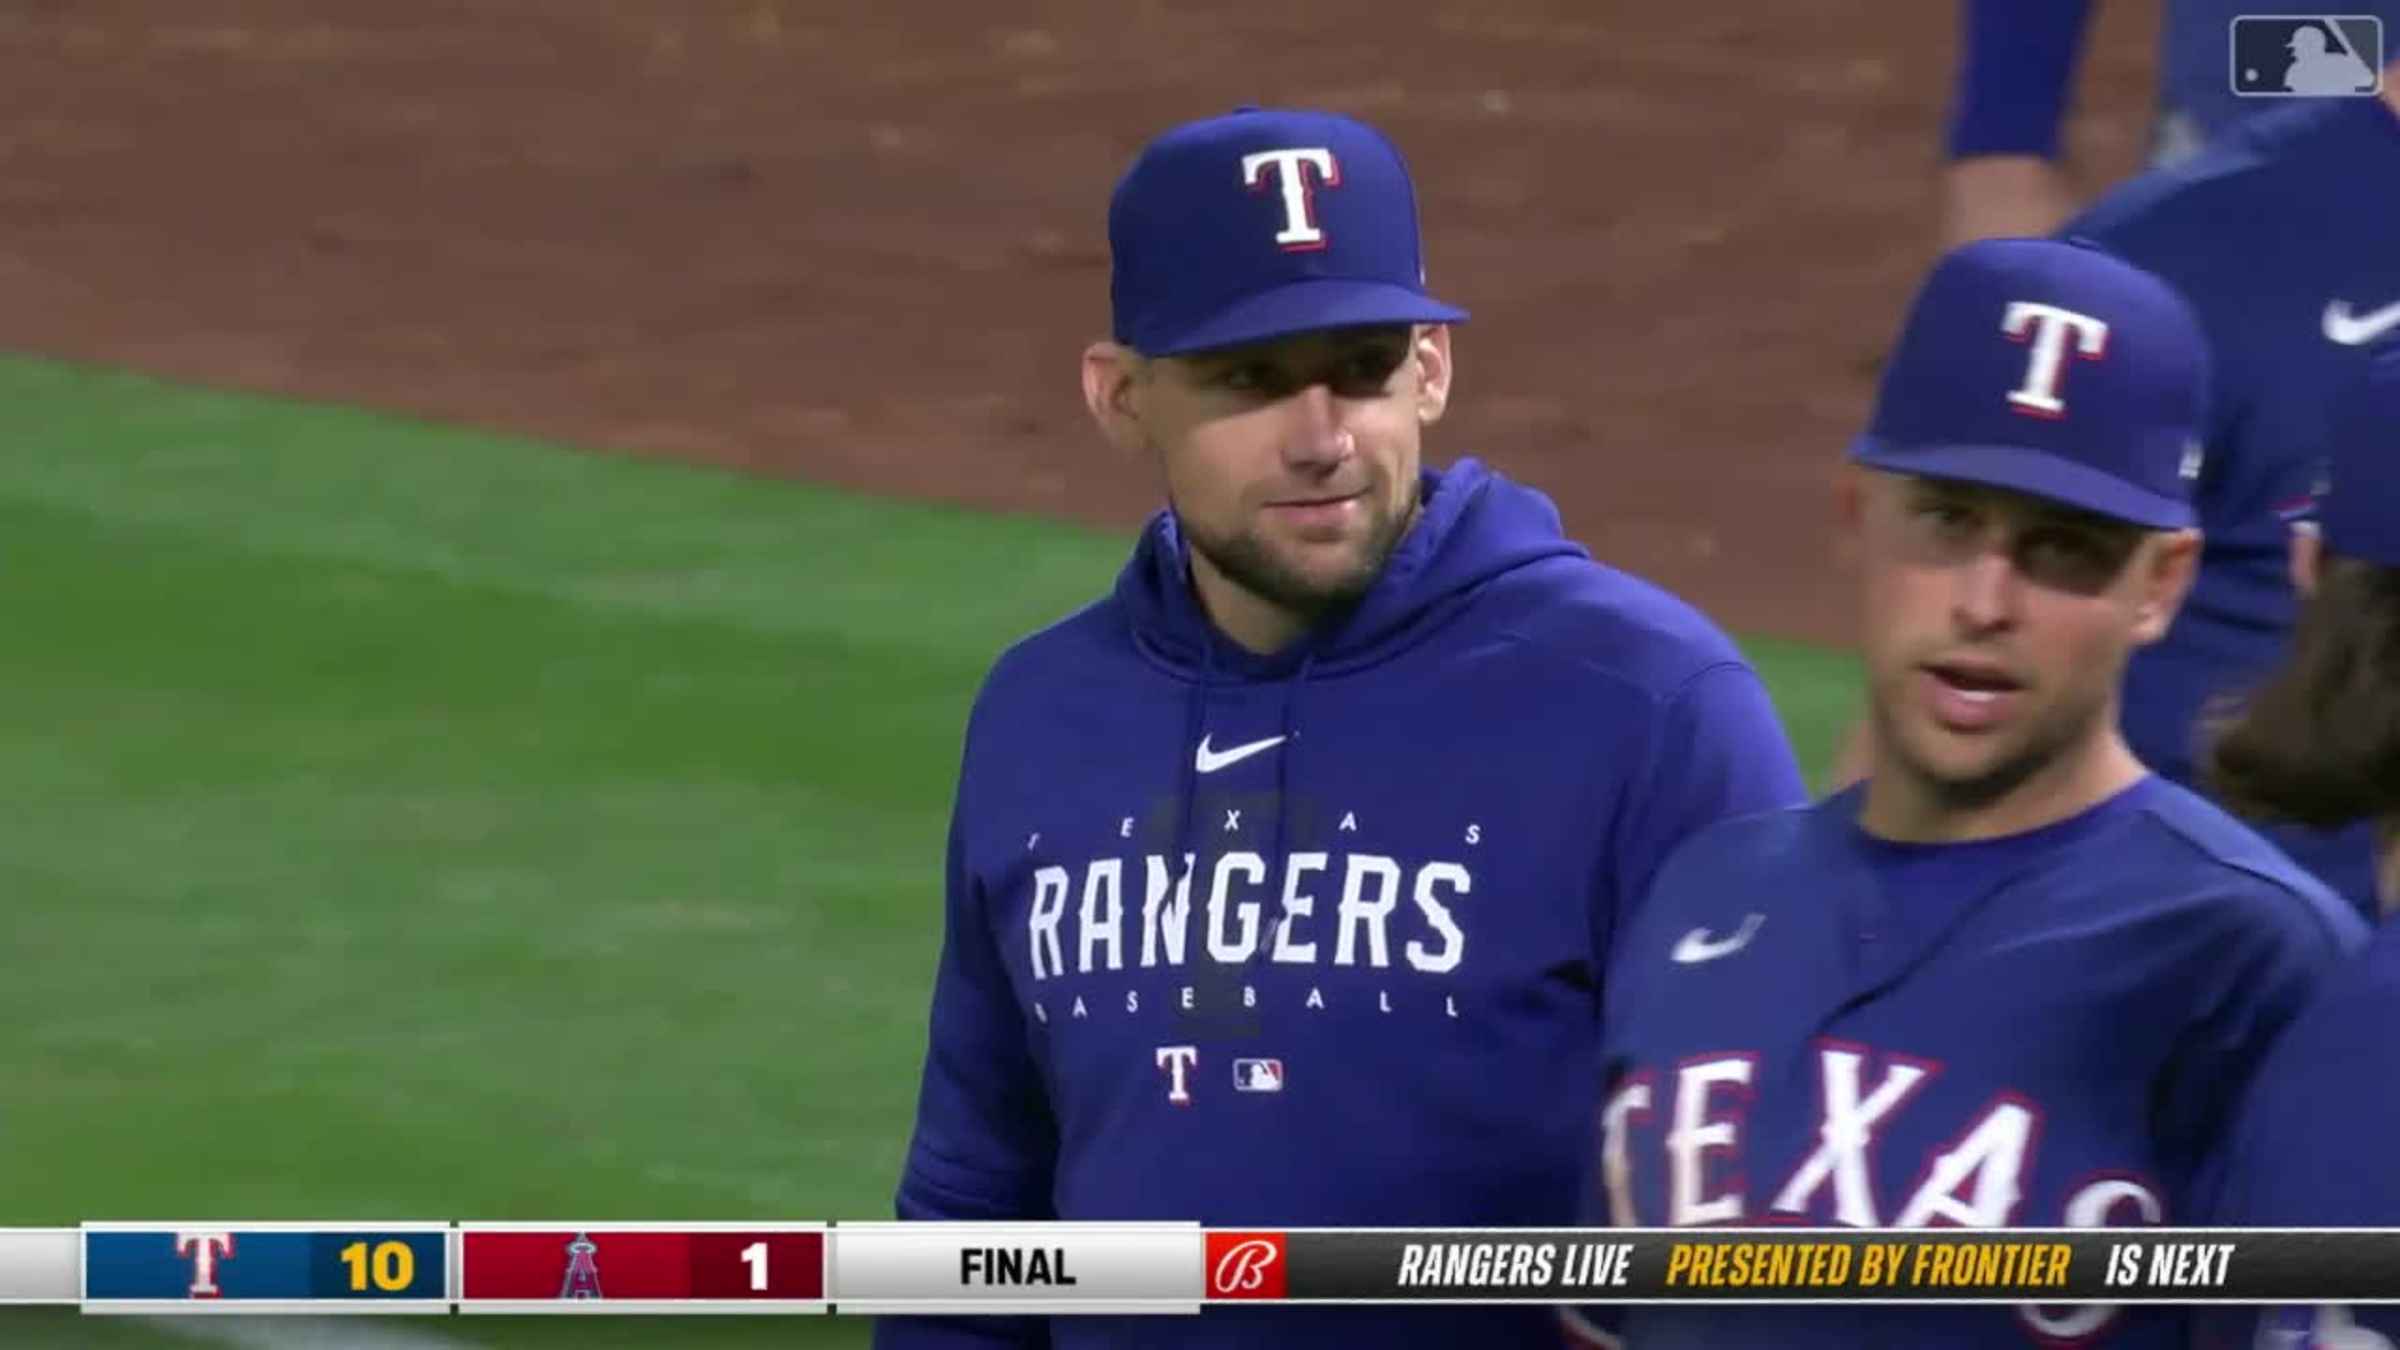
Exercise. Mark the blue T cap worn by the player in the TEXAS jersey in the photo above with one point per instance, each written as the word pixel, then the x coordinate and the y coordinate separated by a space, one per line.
pixel 2051 369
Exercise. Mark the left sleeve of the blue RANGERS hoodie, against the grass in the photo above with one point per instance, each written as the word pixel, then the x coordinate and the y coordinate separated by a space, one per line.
pixel 985 1145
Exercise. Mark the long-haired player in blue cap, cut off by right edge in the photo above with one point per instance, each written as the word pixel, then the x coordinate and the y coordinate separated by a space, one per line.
pixel 2322 743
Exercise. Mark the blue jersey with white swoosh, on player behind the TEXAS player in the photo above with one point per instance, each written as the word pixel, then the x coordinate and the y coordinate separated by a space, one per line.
pixel 2284 241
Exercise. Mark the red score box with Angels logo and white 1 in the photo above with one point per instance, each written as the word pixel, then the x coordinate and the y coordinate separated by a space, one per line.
pixel 642 1267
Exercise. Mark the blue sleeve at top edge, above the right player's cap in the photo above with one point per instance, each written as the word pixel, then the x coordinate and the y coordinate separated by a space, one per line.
pixel 2017 61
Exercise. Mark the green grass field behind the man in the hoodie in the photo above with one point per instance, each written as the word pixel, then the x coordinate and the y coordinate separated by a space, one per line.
pixel 409 823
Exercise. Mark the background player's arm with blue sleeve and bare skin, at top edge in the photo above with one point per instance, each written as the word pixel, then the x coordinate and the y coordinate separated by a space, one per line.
pixel 2003 177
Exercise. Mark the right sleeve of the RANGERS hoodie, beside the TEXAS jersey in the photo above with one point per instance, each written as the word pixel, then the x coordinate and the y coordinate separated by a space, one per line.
pixel 1717 753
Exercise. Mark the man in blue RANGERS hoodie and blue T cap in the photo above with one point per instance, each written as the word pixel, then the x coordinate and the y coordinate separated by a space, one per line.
pixel 1280 880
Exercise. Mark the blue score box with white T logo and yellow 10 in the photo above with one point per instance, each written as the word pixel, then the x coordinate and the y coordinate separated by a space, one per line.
pixel 265 1267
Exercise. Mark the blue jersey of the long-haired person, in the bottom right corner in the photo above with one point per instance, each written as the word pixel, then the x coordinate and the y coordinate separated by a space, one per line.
pixel 2315 1145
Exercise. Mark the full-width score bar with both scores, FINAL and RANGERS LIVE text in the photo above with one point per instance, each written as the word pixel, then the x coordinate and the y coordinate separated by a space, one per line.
pixel 162 1267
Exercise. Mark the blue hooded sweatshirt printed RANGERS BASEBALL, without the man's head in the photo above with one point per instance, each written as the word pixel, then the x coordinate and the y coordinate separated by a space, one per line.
pixel 1316 938
